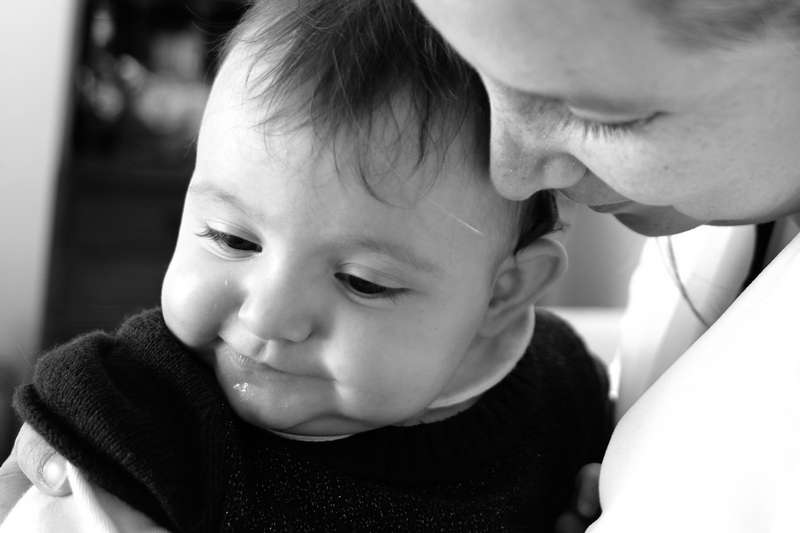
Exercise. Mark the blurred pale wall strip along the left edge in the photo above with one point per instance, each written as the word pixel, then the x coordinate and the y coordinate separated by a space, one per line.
pixel 35 51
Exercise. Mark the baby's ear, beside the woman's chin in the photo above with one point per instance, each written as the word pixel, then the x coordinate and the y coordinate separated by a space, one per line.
pixel 521 280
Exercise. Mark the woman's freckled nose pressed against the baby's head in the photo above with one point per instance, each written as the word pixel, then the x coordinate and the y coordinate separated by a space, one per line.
pixel 527 152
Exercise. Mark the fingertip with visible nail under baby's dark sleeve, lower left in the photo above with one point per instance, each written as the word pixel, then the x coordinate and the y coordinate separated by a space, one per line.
pixel 46 468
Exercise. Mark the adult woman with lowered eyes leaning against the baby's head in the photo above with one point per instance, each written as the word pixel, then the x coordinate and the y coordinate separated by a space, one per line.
pixel 668 115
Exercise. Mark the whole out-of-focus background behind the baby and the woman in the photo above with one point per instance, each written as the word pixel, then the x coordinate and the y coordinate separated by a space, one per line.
pixel 101 100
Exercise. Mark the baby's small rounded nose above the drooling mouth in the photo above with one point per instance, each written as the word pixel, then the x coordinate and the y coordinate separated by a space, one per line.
pixel 277 306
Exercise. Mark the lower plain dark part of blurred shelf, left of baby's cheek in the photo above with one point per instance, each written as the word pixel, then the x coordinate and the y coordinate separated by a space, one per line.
pixel 113 243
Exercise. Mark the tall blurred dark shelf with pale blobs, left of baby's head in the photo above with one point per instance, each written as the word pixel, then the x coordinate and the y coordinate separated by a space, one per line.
pixel 141 75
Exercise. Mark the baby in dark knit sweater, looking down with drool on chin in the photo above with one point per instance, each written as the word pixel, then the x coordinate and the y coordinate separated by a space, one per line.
pixel 345 338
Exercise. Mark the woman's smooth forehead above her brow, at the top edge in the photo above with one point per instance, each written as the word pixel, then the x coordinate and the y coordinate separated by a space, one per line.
pixel 553 43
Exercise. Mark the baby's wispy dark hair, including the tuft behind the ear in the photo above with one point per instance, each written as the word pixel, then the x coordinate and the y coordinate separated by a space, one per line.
pixel 334 65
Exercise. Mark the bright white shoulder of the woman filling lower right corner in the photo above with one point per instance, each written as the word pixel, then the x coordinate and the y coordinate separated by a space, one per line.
pixel 714 444
